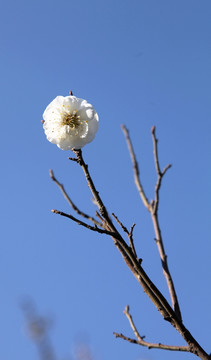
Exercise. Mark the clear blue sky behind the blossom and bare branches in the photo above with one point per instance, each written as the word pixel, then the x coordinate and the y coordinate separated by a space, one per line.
pixel 139 62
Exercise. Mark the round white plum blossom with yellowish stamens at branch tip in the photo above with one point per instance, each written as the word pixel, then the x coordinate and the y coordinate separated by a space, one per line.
pixel 70 122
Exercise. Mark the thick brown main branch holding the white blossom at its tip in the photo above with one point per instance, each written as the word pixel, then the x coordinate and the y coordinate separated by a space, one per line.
pixel 134 264
